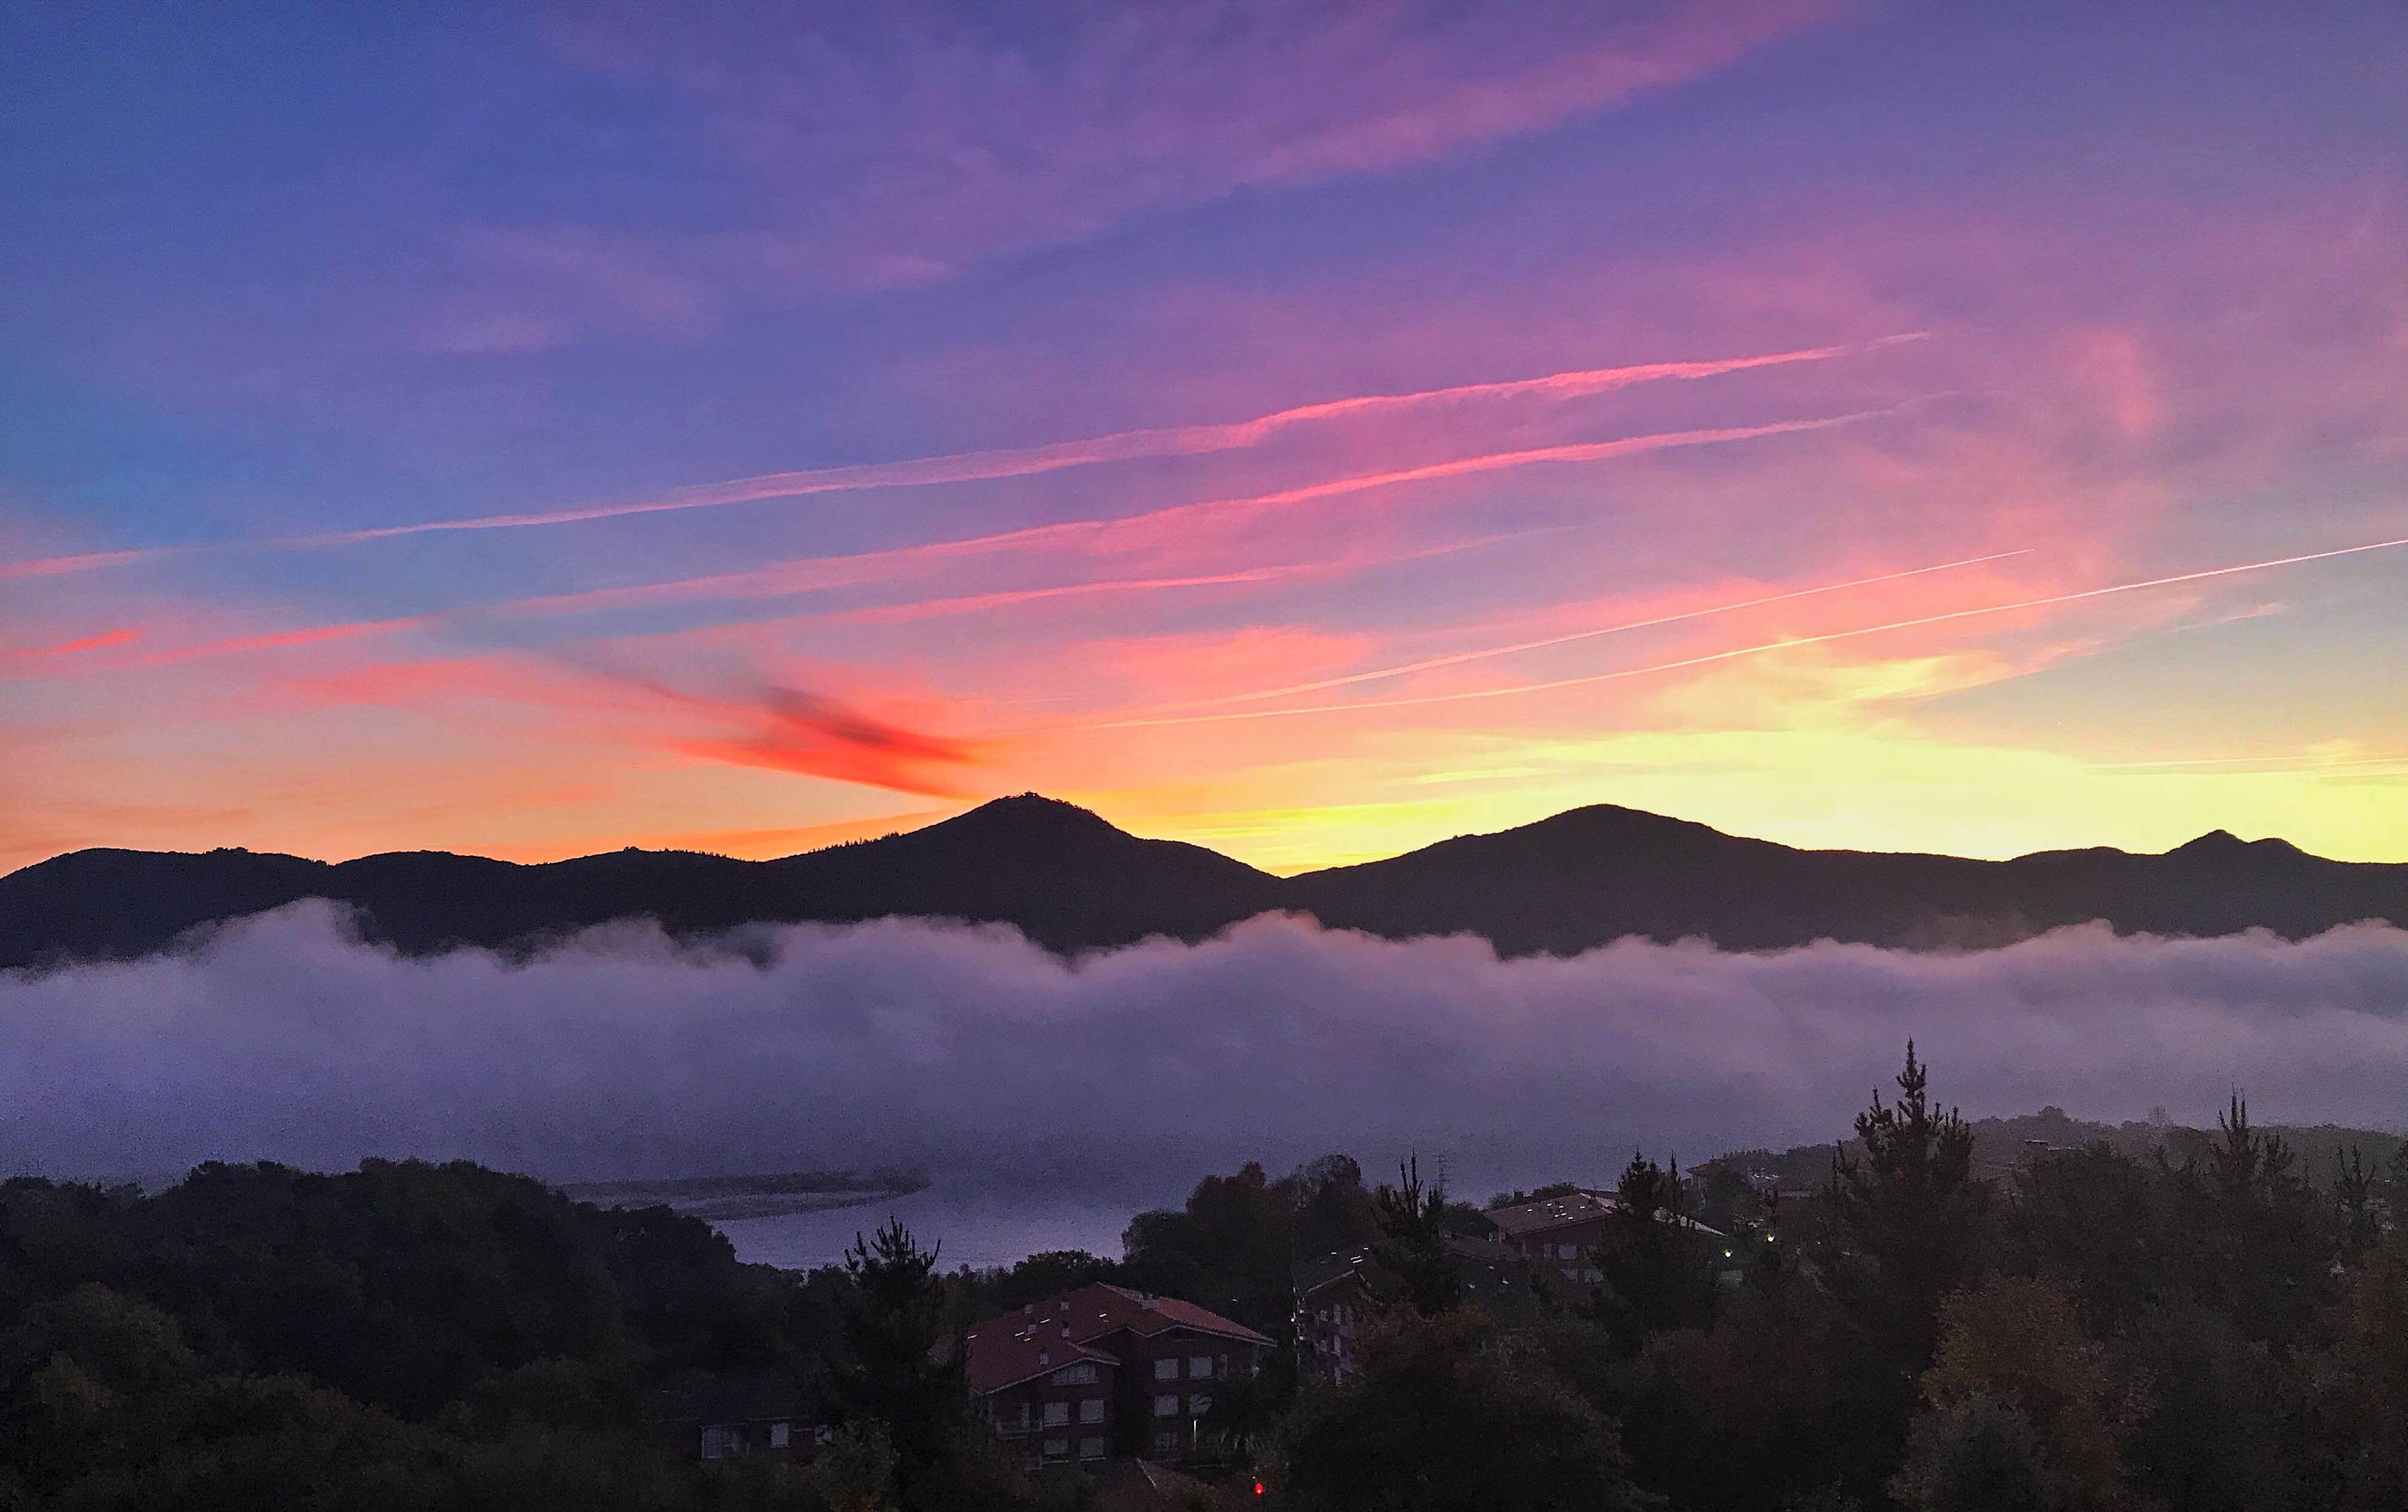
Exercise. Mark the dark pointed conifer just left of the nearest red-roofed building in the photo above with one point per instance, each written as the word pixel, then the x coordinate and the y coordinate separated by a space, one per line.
pixel 895 1335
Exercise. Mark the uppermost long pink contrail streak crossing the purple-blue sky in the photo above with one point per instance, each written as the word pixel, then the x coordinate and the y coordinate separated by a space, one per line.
pixel 998 463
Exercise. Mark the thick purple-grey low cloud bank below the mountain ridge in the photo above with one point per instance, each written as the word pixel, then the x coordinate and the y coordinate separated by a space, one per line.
pixel 981 1058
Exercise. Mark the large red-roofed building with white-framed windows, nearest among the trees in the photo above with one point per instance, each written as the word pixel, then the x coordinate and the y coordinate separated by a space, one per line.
pixel 1106 1374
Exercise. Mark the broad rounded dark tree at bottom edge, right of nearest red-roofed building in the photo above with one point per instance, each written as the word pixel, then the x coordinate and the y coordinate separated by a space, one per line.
pixel 1444 1419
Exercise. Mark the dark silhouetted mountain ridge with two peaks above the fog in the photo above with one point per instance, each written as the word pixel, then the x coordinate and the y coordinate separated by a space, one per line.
pixel 1073 882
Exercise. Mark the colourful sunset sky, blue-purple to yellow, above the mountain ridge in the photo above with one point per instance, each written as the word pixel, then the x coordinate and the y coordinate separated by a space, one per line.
pixel 1304 430
